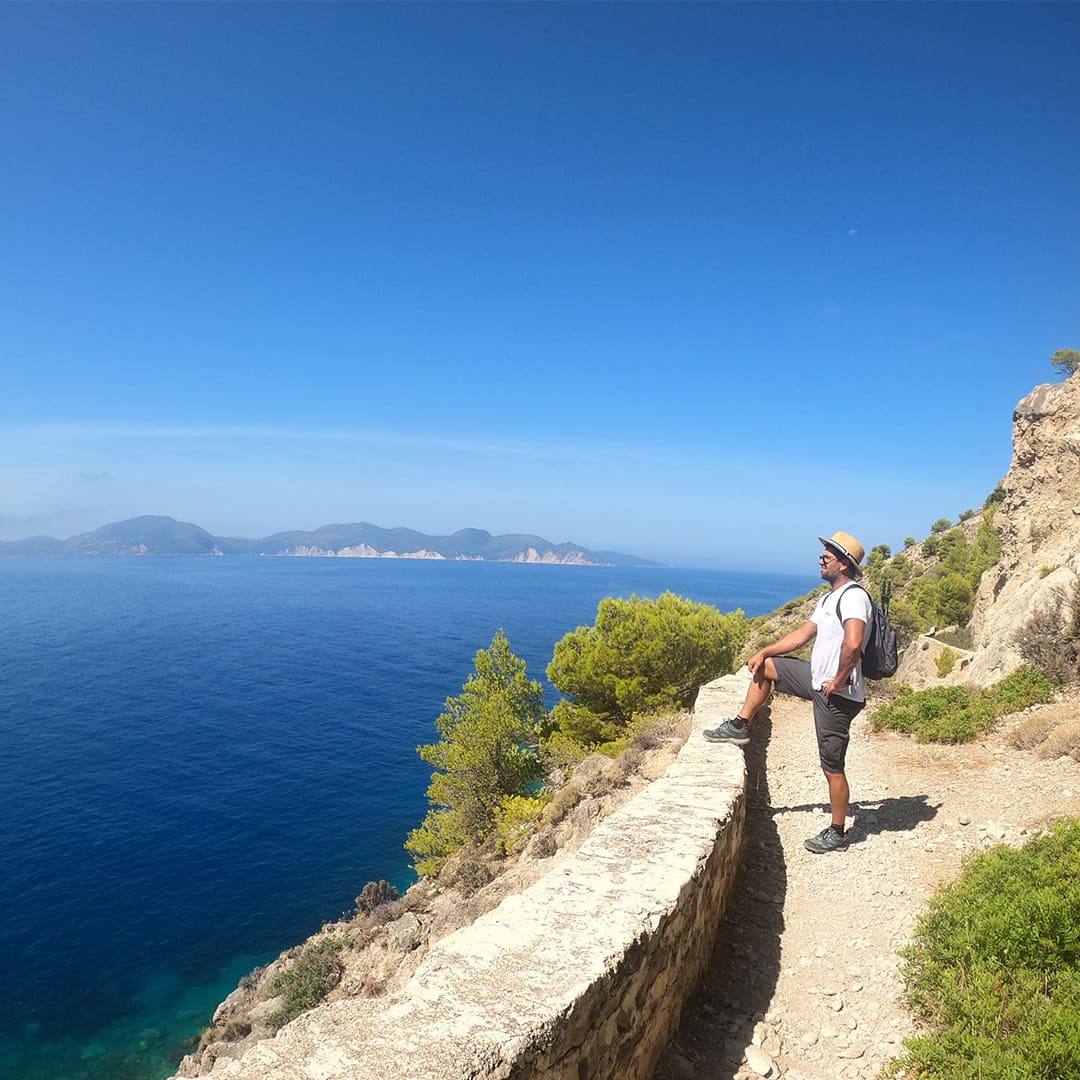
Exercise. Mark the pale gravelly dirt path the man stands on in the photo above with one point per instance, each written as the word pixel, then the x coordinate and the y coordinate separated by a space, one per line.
pixel 805 981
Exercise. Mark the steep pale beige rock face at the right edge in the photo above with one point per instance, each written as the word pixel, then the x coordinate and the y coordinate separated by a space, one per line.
pixel 1039 523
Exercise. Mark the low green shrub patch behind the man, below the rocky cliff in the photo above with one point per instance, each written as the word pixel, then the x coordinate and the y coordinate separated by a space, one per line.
pixel 954 714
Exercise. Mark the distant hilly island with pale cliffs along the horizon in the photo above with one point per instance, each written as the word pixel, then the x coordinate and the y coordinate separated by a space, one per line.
pixel 166 536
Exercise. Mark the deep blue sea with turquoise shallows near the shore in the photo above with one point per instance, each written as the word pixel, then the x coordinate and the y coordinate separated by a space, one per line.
pixel 205 760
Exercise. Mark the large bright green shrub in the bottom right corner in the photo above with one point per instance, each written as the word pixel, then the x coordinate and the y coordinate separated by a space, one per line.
pixel 994 968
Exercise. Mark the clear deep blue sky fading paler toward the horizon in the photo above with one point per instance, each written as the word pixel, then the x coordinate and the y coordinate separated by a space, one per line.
pixel 698 282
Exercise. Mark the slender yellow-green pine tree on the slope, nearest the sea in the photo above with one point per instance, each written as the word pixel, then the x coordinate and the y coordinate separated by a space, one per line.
pixel 485 757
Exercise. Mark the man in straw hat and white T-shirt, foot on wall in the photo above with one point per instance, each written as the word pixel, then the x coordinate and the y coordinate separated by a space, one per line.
pixel 832 680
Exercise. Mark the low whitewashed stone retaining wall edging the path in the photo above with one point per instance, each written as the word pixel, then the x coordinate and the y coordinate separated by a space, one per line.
pixel 583 977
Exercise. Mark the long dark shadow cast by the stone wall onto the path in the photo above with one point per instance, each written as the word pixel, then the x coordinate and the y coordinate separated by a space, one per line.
pixel 719 1021
